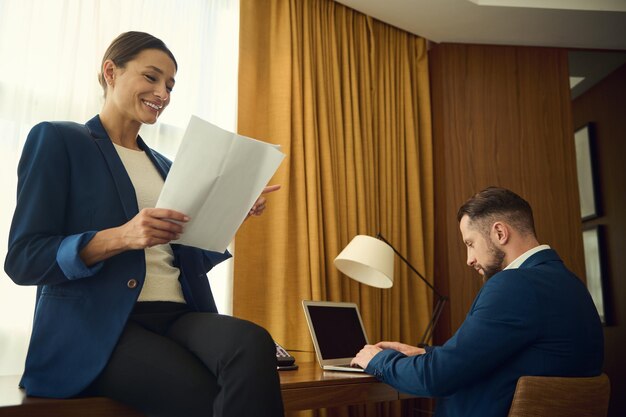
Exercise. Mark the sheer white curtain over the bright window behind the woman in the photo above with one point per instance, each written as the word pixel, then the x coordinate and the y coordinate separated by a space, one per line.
pixel 50 52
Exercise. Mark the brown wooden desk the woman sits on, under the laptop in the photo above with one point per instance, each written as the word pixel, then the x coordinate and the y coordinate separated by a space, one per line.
pixel 308 387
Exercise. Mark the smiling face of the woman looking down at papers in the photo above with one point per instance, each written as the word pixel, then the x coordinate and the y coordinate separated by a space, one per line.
pixel 141 91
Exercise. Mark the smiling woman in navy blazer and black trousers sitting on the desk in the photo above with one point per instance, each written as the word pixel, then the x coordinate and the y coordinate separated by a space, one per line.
pixel 112 282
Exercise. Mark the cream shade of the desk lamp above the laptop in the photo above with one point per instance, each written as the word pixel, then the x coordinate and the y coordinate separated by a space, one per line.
pixel 368 260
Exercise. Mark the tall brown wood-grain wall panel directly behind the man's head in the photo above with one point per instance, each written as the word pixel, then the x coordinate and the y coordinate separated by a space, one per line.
pixel 501 116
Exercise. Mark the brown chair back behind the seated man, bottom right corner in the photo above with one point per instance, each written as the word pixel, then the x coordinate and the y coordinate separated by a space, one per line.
pixel 541 396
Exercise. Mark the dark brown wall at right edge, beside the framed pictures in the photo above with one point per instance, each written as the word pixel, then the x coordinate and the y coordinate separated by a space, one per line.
pixel 605 106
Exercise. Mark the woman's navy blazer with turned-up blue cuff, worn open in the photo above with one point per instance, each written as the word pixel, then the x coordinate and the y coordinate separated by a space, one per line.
pixel 71 184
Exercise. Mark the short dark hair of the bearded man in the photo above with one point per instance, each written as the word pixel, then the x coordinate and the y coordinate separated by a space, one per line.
pixel 493 204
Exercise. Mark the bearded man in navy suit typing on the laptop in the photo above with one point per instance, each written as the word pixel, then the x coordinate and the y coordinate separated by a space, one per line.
pixel 532 317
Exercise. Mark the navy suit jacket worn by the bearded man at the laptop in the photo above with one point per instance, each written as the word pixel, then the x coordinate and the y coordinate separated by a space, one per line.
pixel 538 319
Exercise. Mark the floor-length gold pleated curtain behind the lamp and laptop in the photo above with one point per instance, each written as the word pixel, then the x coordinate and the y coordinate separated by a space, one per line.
pixel 347 98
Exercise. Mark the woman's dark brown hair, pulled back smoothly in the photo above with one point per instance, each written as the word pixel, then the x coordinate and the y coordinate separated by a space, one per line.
pixel 127 46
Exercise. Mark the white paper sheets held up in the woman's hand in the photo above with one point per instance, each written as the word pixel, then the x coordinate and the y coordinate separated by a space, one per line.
pixel 215 179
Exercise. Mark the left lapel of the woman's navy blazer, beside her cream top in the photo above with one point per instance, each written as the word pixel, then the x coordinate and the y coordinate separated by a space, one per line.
pixel 122 181
